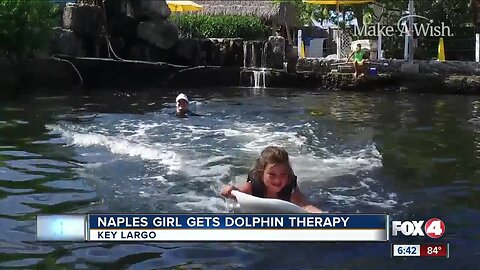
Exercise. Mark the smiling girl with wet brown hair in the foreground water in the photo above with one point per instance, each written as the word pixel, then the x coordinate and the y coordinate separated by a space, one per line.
pixel 273 177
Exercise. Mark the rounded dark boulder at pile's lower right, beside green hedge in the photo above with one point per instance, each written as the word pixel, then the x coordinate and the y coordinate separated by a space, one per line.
pixel 160 33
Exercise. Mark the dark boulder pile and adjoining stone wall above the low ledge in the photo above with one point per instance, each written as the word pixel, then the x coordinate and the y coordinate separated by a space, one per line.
pixel 139 30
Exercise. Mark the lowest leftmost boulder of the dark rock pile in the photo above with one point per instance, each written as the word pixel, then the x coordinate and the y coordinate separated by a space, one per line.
pixel 66 42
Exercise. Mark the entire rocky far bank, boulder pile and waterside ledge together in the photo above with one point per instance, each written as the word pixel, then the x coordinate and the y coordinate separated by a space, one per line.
pixel 82 60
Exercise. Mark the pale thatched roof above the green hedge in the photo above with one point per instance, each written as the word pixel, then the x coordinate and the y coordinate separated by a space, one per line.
pixel 275 13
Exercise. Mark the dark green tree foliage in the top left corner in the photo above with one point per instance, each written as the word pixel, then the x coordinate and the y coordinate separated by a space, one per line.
pixel 25 27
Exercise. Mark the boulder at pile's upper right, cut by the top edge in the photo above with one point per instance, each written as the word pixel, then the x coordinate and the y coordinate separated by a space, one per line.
pixel 150 10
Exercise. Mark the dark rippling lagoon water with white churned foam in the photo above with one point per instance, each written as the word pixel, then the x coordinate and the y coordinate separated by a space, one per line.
pixel 413 156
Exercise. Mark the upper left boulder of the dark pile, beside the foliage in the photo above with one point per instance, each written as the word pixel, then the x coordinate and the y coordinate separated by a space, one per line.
pixel 84 20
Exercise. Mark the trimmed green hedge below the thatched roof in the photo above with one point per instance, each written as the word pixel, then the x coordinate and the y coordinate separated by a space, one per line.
pixel 225 26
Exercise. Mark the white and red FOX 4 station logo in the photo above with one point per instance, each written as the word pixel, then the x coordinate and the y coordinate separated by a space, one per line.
pixel 434 228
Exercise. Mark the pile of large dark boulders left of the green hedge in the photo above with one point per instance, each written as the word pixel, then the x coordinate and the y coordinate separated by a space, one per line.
pixel 133 25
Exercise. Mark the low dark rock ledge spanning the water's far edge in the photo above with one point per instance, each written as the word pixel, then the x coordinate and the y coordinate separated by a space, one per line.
pixel 64 73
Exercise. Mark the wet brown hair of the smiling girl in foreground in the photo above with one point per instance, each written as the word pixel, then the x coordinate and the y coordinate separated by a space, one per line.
pixel 272 155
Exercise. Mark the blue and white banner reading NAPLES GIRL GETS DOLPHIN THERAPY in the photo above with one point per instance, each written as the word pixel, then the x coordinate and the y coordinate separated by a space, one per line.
pixel 213 227
